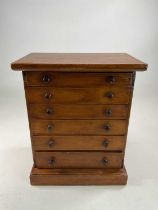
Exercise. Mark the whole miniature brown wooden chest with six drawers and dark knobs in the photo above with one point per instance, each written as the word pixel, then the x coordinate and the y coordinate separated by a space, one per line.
pixel 78 109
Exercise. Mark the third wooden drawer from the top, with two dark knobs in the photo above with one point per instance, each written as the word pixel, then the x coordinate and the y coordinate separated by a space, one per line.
pixel 59 111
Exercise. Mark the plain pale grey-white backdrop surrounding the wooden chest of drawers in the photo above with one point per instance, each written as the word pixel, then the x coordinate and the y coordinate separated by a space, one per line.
pixel 78 26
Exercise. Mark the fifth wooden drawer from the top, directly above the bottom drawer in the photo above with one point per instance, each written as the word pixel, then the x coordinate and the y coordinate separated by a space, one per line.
pixel 102 143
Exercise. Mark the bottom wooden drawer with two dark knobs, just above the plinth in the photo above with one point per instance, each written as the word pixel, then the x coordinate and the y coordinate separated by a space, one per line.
pixel 78 160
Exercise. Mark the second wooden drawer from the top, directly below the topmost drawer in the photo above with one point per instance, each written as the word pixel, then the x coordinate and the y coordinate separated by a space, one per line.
pixel 103 95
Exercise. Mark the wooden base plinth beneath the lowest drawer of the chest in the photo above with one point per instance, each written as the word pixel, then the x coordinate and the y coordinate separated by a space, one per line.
pixel 78 176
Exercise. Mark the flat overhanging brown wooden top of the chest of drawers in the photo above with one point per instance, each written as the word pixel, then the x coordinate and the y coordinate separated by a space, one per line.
pixel 79 62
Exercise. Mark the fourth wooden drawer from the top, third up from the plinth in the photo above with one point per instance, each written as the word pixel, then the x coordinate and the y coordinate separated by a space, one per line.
pixel 79 127
